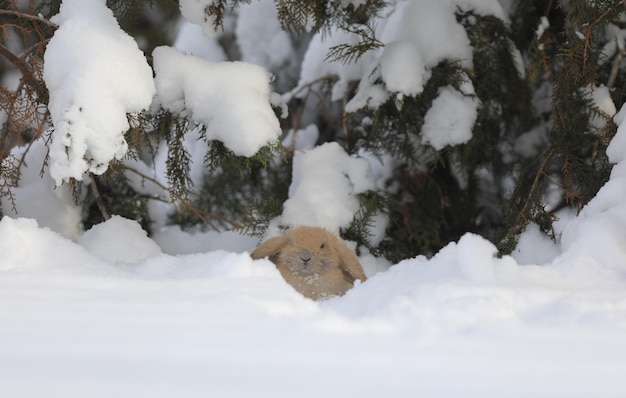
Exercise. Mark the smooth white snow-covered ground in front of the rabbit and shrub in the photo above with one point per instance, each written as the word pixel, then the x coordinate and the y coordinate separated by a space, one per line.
pixel 114 316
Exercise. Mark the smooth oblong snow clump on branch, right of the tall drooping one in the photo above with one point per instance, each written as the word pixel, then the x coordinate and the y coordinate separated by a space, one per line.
pixel 231 99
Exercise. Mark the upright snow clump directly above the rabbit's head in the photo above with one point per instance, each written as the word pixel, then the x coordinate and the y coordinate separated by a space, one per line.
pixel 325 182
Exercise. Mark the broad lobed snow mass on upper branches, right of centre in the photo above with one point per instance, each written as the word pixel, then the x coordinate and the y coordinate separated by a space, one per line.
pixel 414 42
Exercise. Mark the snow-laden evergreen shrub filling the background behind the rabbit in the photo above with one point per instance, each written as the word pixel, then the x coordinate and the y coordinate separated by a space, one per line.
pixel 402 125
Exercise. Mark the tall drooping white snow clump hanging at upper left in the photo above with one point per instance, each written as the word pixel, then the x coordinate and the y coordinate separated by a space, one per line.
pixel 95 74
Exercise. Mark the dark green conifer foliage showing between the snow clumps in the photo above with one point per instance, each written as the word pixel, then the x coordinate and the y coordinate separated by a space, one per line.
pixel 533 76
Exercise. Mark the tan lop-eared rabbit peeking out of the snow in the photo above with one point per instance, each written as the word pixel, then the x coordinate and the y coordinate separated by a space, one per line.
pixel 316 262
